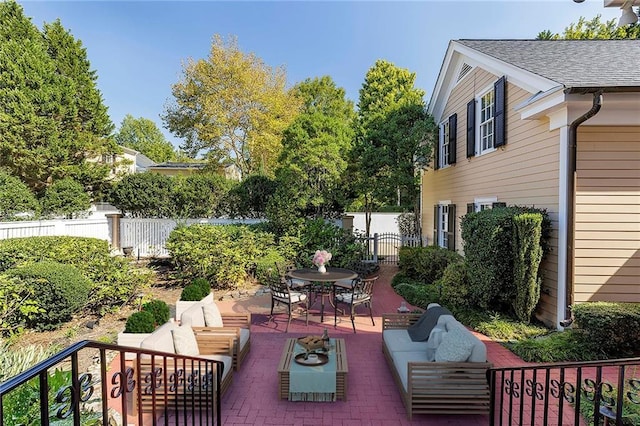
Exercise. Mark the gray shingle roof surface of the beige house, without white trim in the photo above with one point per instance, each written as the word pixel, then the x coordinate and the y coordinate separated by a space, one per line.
pixel 572 63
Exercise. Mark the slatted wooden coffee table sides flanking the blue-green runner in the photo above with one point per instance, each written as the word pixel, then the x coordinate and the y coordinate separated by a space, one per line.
pixel 289 352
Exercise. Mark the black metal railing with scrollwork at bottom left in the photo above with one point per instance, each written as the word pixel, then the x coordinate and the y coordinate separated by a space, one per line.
pixel 97 383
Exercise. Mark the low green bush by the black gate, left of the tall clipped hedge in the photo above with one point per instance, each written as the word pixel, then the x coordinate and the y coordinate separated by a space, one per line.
pixel 426 263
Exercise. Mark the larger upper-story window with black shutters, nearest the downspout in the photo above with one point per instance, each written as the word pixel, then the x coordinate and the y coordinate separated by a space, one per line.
pixel 486 120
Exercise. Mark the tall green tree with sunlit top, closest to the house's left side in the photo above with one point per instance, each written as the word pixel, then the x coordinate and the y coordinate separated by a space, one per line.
pixel 394 134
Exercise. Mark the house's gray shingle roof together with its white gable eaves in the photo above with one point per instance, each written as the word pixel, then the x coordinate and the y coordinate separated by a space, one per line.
pixel 549 69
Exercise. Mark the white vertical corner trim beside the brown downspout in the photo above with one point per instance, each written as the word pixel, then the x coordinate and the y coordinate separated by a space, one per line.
pixel 563 191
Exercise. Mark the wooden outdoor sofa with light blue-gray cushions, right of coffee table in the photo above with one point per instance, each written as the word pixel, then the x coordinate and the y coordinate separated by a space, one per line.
pixel 445 374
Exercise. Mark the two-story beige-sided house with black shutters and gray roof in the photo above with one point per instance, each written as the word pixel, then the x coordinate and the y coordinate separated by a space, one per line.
pixel 553 124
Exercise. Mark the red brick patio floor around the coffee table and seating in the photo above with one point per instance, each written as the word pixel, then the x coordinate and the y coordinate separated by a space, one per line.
pixel 372 396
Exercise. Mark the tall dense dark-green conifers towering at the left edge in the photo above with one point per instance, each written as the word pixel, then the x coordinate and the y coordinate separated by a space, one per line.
pixel 52 119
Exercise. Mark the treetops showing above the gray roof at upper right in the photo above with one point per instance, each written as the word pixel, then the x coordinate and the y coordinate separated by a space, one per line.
pixel 593 29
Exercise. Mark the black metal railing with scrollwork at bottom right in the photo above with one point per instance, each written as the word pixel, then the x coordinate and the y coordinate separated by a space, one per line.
pixel 585 393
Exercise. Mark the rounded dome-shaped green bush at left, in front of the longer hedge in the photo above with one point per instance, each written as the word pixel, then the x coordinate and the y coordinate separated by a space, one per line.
pixel 60 290
